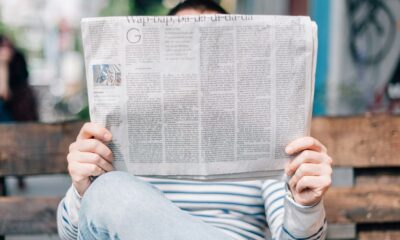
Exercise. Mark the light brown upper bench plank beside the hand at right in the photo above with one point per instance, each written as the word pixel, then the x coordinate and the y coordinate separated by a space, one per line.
pixel 363 141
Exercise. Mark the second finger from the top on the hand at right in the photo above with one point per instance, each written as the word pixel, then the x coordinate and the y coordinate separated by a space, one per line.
pixel 307 156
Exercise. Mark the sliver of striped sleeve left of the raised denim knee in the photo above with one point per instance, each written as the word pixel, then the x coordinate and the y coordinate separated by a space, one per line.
pixel 67 215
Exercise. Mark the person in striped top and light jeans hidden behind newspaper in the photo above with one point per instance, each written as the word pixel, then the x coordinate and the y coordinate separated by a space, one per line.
pixel 118 205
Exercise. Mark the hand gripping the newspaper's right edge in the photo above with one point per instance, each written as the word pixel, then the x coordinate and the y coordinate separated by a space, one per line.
pixel 310 170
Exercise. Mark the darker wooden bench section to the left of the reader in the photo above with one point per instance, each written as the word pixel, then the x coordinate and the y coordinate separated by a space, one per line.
pixel 32 149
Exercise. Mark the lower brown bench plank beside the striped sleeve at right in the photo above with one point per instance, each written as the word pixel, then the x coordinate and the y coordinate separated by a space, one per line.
pixel 372 203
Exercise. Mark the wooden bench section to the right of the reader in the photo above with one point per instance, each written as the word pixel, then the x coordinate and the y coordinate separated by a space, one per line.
pixel 368 147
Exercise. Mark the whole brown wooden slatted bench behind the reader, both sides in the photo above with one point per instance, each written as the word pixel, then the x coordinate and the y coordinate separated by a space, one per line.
pixel 364 202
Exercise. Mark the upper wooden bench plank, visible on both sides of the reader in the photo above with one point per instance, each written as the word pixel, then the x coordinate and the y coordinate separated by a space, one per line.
pixel 34 148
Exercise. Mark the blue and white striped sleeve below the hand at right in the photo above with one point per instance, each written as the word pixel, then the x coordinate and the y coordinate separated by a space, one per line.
pixel 288 219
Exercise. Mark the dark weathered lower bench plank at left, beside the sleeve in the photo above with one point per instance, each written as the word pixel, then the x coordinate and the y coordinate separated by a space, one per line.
pixel 21 215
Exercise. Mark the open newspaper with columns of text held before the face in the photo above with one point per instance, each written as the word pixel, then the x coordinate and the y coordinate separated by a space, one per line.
pixel 205 97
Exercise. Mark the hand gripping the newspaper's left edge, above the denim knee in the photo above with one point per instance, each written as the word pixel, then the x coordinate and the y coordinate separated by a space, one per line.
pixel 89 156
